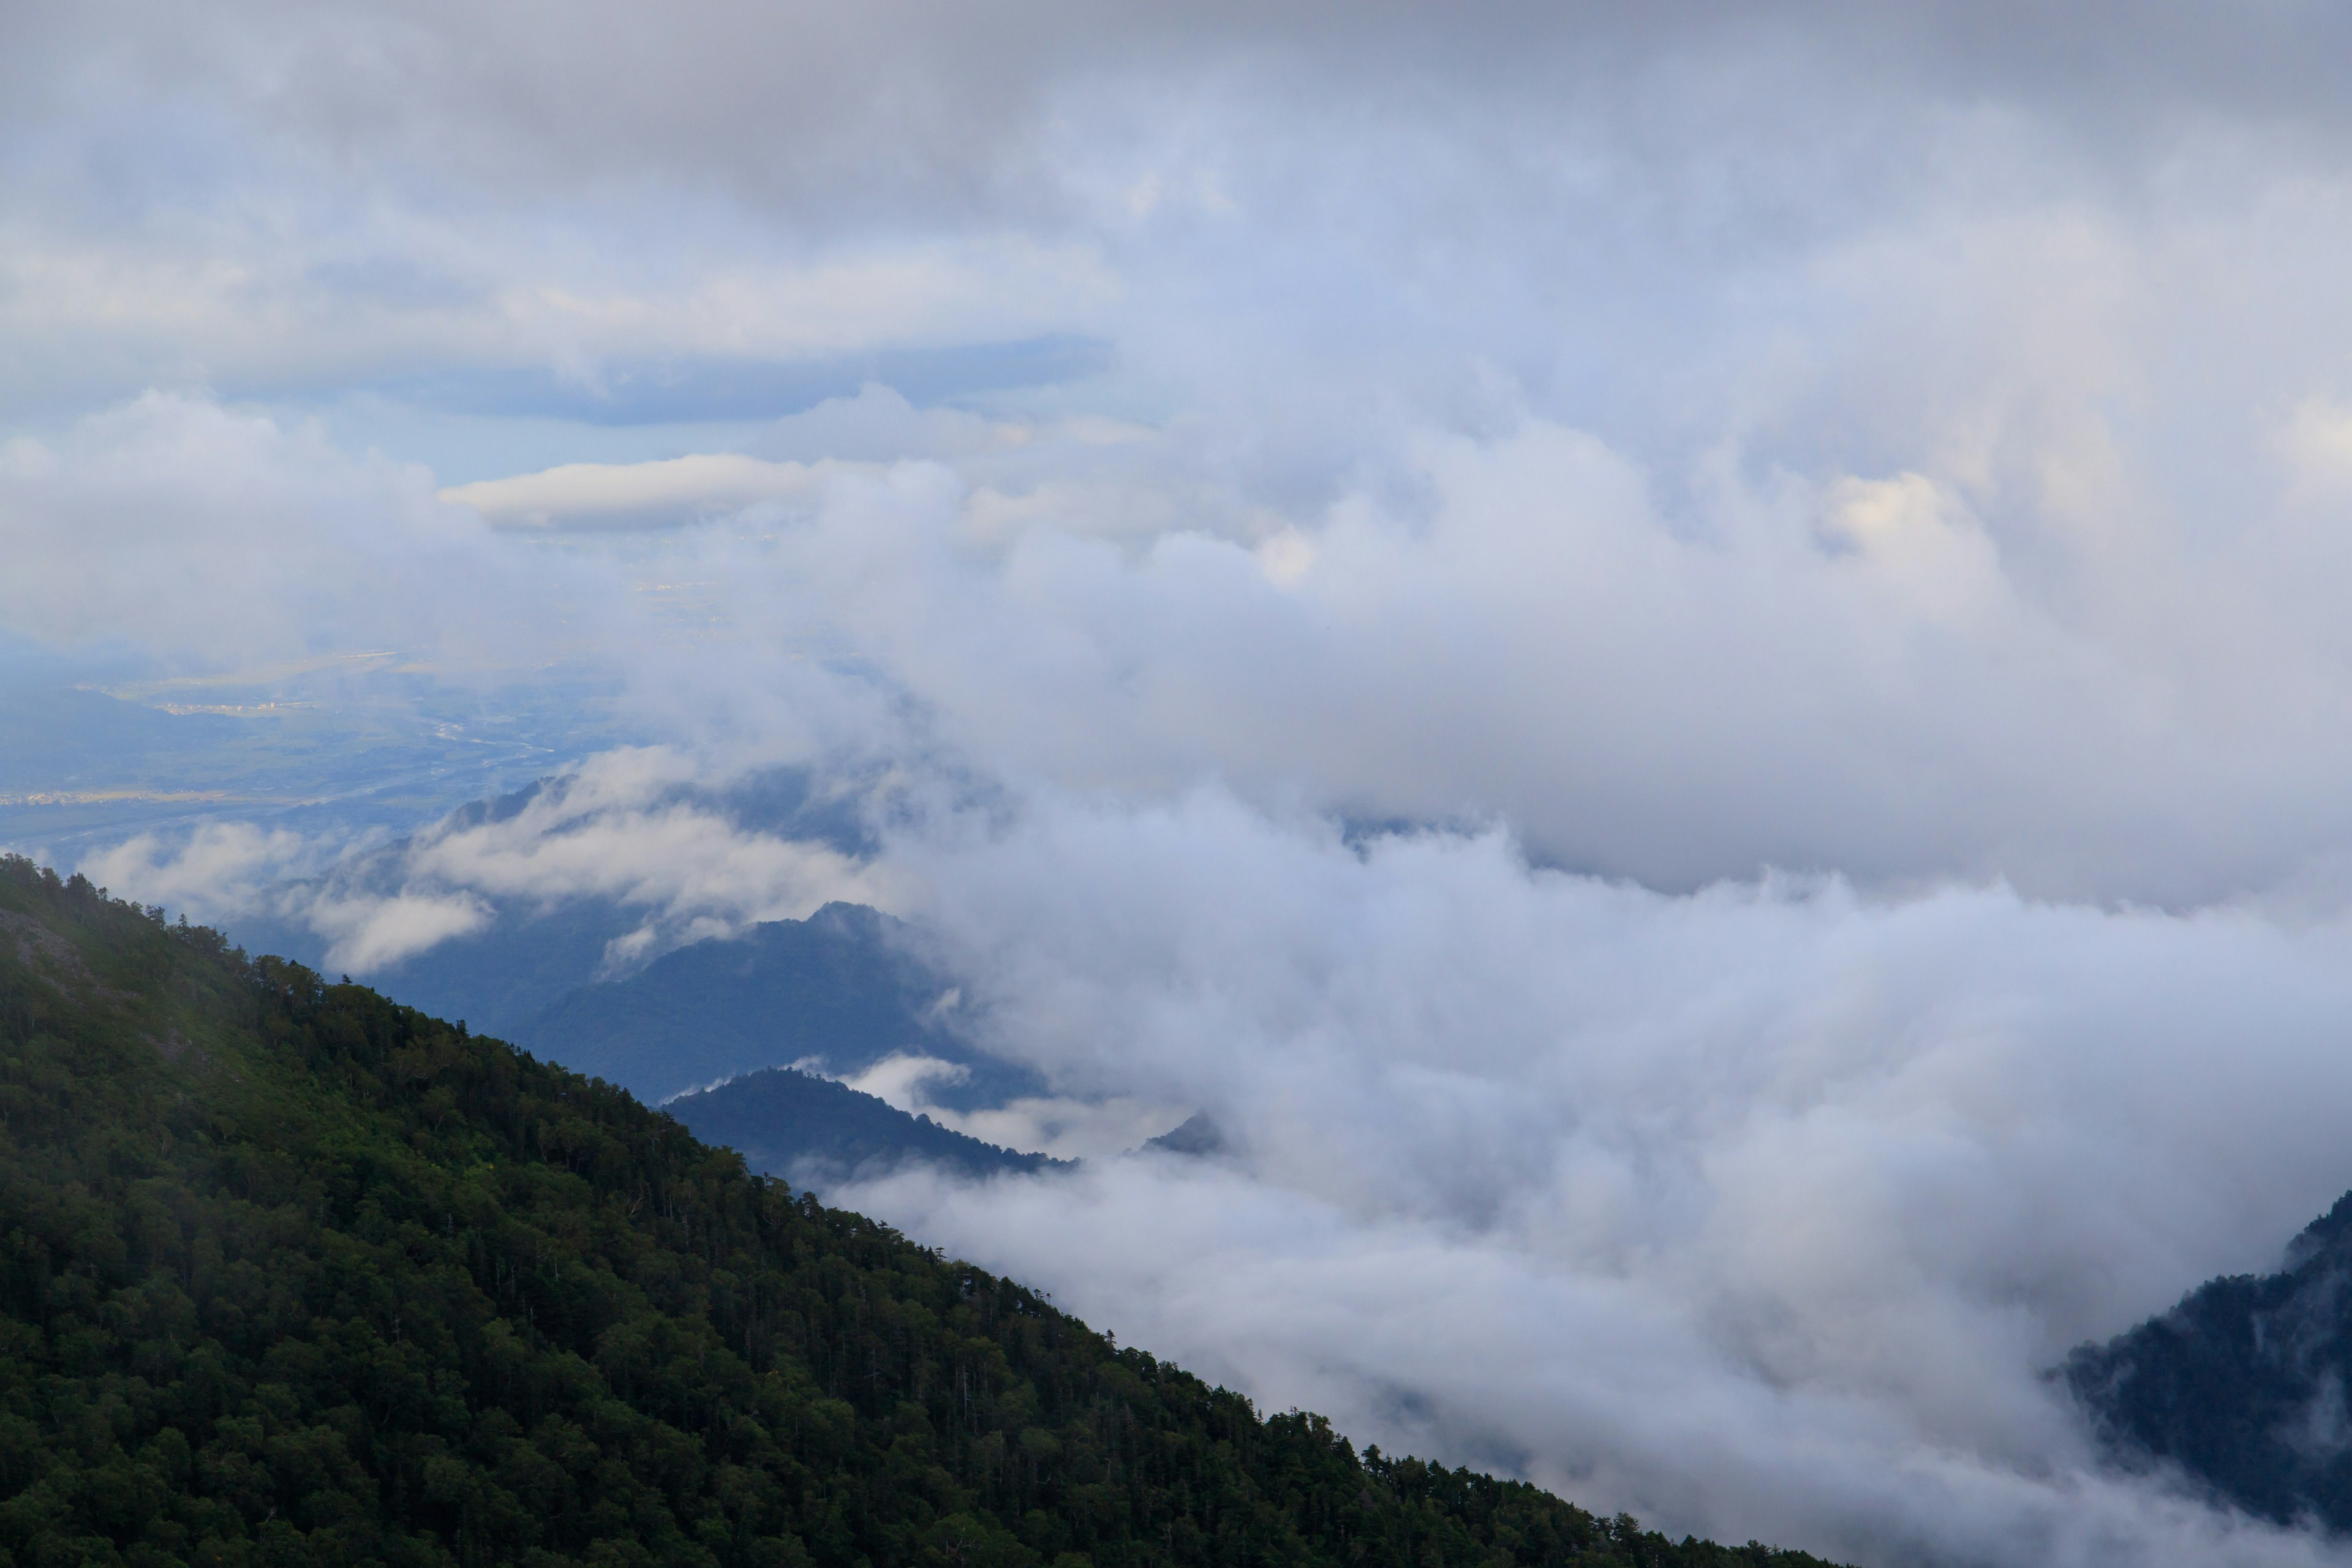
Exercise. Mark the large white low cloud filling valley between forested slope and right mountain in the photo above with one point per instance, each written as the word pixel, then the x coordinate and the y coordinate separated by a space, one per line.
pixel 1760 1209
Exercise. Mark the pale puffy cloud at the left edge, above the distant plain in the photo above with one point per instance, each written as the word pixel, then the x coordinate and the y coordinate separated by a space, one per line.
pixel 211 537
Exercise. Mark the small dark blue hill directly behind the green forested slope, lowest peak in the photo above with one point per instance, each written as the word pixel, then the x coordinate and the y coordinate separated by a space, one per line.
pixel 817 1132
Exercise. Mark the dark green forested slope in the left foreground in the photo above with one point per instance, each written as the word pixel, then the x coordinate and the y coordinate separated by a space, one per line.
pixel 295 1275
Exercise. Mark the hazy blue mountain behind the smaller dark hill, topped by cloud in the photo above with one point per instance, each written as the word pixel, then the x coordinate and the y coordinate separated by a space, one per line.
pixel 838 989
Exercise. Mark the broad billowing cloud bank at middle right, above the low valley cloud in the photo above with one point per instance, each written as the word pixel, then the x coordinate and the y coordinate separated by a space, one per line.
pixel 1895 676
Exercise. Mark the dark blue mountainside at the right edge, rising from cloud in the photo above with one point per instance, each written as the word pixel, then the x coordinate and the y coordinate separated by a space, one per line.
pixel 2243 1386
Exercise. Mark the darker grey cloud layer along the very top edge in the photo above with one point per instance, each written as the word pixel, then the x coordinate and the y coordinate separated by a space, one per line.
pixel 944 102
